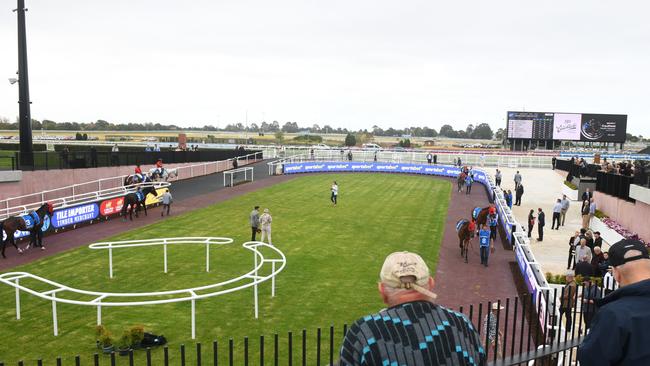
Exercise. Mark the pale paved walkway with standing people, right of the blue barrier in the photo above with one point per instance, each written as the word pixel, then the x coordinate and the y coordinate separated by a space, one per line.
pixel 542 187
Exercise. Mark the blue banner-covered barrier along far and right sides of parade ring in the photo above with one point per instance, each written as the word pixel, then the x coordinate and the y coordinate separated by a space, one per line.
pixel 530 269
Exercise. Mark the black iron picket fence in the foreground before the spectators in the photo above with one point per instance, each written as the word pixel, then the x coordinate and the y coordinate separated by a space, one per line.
pixel 519 338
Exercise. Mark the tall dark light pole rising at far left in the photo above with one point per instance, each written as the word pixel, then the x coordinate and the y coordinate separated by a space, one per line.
pixel 25 115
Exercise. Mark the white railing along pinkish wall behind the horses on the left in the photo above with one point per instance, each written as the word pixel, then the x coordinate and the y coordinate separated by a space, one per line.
pixel 17 205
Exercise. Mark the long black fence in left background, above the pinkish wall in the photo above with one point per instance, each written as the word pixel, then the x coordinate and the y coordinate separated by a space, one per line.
pixel 45 160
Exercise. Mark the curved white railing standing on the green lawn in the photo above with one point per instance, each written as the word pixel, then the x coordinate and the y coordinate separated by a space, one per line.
pixel 251 279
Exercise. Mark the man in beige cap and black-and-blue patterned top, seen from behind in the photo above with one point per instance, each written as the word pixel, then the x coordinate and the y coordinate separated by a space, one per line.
pixel 413 330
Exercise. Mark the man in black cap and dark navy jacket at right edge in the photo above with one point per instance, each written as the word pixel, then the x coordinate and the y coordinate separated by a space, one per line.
pixel 618 334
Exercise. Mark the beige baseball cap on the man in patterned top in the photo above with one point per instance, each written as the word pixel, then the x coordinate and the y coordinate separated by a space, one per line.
pixel 406 270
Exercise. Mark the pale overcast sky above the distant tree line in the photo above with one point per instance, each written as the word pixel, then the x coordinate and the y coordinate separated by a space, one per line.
pixel 344 63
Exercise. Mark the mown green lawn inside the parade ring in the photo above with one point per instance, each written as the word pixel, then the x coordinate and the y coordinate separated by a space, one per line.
pixel 333 259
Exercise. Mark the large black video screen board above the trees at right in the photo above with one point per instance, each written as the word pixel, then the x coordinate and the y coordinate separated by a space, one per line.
pixel 567 126
